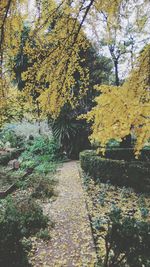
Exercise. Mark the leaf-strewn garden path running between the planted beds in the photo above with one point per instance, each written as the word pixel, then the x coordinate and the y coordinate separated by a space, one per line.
pixel 71 243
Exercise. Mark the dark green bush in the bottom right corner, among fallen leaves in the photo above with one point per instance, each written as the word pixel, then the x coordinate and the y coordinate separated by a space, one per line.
pixel 127 240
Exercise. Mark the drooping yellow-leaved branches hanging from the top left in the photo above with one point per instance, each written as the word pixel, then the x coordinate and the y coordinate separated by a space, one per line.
pixel 58 40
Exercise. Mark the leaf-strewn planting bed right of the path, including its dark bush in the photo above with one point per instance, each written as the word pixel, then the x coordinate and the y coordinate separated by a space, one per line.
pixel 120 220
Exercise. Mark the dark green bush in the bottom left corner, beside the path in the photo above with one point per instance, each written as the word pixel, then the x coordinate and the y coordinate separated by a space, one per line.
pixel 18 220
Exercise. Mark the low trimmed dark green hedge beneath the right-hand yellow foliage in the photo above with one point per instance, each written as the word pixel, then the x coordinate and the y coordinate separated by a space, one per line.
pixel 134 173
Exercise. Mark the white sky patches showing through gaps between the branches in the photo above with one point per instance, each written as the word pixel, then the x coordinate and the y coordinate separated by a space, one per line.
pixel 95 31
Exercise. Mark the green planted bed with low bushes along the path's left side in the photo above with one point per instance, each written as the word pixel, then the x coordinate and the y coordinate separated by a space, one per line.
pixel 21 216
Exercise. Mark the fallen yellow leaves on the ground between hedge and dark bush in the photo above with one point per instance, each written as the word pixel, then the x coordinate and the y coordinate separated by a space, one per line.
pixel 109 196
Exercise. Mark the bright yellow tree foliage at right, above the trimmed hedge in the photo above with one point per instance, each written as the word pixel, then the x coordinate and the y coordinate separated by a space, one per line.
pixel 122 110
